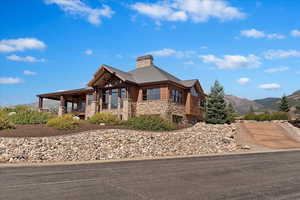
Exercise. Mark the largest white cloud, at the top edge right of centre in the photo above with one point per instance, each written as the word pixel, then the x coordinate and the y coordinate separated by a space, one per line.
pixel 183 10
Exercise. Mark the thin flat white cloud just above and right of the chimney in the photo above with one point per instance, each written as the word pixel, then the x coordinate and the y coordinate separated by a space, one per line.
pixel 171 52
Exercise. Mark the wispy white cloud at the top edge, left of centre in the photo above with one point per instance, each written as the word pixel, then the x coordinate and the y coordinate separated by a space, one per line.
pixel 79 8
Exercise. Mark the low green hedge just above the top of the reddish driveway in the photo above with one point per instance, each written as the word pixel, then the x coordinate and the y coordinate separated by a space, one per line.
pixel 267 116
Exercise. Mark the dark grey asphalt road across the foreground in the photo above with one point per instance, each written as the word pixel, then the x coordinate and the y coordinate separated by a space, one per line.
pixel 259 176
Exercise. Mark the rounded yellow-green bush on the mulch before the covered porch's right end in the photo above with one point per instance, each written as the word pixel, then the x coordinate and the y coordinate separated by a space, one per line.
pixel 65 122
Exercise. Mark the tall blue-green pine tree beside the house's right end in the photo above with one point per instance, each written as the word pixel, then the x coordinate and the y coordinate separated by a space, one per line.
pixel 216 112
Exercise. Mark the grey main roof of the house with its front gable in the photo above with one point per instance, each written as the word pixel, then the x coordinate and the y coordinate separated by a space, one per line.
pixel 144 75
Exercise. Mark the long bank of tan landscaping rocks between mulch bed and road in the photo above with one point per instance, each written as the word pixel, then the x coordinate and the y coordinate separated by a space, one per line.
pixel 120 144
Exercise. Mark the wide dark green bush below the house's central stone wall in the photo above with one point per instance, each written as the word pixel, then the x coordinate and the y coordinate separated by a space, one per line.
pixel 149 123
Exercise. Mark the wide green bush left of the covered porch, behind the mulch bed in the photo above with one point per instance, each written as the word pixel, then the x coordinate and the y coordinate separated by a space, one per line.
pixel 28 116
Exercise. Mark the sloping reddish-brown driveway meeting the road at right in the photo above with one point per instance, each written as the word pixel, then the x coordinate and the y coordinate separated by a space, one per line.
pixel 267 134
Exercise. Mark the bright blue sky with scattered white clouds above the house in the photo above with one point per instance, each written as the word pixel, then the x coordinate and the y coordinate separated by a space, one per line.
pixel 251 47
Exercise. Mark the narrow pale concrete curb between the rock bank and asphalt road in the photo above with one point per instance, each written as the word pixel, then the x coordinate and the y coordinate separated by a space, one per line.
pixel 16 165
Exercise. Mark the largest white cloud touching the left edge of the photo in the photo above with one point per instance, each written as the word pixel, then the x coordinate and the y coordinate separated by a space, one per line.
pixel 21 44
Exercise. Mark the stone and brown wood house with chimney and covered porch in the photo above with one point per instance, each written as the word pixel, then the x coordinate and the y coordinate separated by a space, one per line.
pixel 146 90
